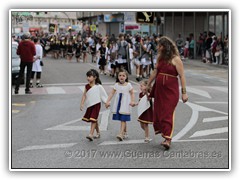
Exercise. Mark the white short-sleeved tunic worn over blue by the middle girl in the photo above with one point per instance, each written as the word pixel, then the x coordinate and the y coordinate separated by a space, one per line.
pixel 125 89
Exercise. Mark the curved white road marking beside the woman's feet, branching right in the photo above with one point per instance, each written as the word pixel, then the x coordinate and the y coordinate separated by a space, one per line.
pixel 193 120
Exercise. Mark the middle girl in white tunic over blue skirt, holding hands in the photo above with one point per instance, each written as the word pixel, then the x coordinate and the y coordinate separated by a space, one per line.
pixel 123 102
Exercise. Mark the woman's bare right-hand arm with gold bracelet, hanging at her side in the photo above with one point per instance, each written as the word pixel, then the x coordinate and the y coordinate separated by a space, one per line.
pixel 179 66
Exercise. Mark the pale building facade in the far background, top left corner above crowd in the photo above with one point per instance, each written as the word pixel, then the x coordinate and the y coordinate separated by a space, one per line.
pixel 40 21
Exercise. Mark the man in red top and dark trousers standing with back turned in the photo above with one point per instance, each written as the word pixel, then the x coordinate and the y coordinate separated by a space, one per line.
pixel 26 50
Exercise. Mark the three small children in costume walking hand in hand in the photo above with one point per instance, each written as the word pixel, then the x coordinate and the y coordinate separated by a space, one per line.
pixel 94 94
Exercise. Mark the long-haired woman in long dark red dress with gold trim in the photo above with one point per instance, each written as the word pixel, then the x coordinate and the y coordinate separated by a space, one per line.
pixel 166 88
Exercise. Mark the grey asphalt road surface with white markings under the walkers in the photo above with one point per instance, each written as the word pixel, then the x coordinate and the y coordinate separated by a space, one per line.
pixel 47 131
